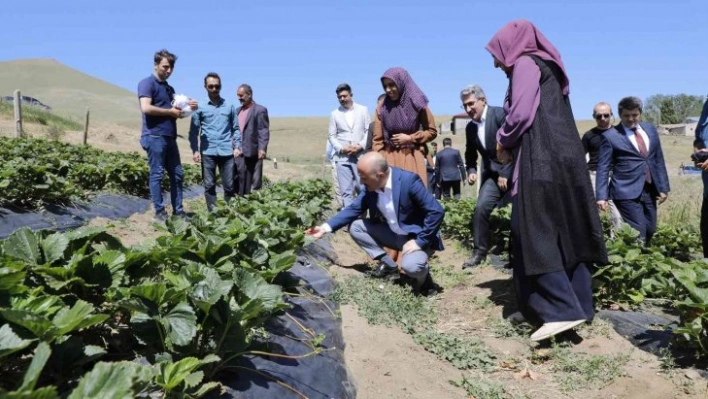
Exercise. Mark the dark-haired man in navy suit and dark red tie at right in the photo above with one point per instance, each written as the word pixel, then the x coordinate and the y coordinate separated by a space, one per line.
pixel 632 152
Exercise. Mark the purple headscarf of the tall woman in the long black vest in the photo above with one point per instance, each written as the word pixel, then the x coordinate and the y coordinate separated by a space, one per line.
pixel 520 37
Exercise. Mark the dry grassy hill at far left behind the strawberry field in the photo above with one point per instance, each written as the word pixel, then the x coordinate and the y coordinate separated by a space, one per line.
pixel 69 91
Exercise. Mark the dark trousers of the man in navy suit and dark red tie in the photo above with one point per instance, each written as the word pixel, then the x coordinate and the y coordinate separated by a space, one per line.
pixel 640 213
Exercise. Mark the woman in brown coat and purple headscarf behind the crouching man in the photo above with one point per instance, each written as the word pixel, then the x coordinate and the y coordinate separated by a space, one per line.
pixel 404 124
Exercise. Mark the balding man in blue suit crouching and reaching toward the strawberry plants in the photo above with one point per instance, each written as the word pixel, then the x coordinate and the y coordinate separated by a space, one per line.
pixel 403 215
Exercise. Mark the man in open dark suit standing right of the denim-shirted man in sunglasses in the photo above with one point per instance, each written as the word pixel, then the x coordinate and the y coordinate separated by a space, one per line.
pixel 255 135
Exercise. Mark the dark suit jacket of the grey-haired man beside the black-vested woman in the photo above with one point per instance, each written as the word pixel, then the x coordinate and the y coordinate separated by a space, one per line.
pixel 492 168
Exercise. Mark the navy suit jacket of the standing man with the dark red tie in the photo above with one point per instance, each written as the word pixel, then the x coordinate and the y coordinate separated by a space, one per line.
pixel 621 157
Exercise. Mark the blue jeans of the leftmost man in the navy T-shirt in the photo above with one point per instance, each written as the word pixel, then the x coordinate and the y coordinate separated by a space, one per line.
pixel 163 154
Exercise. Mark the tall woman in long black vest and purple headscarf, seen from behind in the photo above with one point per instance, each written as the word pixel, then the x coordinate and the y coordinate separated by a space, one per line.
pixel 556 231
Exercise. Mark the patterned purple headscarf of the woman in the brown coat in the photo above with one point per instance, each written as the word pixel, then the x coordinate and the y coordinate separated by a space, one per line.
pixel 402 116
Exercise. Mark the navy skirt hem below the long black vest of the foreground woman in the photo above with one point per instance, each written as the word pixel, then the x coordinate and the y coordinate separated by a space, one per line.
pixel 565 295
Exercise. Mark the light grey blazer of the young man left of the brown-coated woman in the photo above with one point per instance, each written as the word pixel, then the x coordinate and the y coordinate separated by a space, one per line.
pixel 341 134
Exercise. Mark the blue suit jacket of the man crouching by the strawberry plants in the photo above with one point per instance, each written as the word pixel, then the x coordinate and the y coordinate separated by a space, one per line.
pixel 419 214
